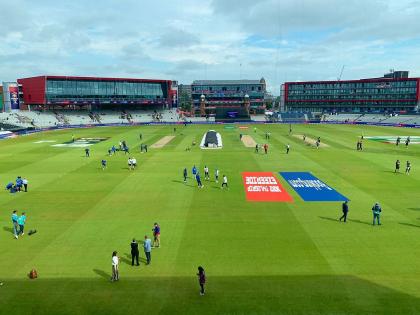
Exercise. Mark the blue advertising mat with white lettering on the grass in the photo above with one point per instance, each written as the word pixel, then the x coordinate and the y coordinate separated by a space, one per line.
pixel 310 188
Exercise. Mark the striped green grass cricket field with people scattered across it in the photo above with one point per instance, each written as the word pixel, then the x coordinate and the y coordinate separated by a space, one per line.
pixel 260 258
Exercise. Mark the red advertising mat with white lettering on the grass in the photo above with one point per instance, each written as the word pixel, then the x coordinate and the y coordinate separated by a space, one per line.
pixel 264 186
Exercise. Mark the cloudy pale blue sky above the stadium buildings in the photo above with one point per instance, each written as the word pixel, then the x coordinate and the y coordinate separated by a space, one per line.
pixel 281 40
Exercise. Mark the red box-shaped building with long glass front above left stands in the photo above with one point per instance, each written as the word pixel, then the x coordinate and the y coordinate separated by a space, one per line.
pixel 81 91
